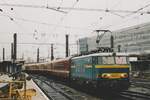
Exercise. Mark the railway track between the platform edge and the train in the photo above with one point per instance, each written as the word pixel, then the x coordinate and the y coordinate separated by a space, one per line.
pixel 56 91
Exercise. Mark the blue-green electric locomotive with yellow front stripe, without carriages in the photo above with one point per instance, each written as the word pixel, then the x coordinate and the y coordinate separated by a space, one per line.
pixel 102 70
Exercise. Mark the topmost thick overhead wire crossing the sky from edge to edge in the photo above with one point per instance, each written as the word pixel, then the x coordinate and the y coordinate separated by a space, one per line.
pixel 62 9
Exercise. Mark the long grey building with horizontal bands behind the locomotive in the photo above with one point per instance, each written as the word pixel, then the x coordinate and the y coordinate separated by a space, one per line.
pixel 132 39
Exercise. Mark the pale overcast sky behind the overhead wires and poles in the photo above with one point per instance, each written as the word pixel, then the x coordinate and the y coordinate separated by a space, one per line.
pixel 35 24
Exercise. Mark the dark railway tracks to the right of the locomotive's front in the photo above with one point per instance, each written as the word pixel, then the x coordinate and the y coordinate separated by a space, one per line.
pixel 138 91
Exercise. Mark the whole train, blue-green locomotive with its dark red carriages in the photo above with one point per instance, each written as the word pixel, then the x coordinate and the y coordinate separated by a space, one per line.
pixel 99 70
